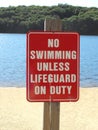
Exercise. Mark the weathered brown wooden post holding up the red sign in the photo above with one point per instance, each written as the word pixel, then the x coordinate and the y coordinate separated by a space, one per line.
pixel 52 109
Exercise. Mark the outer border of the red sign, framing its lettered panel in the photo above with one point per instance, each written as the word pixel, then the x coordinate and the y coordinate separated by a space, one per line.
pixel 27 69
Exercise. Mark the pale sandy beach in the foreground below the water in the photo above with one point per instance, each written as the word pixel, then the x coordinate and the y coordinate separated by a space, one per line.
pixel 16 113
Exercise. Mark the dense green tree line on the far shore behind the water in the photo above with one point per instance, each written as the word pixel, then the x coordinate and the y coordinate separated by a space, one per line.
pixel 22 19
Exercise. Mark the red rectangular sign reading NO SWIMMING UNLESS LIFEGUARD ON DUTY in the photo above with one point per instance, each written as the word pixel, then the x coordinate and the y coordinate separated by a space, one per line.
pixel 52 66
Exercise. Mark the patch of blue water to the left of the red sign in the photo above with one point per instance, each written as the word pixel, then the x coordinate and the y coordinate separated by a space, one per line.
pixel 12 60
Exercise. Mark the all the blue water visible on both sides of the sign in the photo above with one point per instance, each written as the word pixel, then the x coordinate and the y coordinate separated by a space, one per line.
pixel 13 60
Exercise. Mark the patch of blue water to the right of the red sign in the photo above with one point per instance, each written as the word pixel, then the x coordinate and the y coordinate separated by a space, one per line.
pixel 89 61
